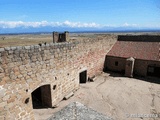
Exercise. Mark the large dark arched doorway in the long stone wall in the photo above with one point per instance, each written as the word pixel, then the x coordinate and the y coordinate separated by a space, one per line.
pixel 41 97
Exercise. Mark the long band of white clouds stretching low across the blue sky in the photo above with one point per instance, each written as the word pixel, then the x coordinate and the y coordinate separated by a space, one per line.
pixel 15 24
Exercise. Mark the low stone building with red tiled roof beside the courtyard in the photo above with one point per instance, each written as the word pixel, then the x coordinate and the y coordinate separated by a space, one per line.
pixel 144 49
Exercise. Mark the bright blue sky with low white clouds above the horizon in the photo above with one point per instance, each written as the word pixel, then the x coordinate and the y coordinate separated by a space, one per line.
pixel 96 14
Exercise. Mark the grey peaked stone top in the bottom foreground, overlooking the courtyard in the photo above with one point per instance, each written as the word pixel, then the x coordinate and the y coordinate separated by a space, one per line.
pixel 78 111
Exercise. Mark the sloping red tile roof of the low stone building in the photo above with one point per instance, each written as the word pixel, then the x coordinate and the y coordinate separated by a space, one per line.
pixel 136 49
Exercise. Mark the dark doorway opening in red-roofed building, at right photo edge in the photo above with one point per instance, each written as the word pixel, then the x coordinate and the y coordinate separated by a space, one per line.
pixel 153 71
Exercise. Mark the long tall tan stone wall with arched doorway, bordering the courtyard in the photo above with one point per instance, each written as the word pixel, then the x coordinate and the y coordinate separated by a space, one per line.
pixel 24 69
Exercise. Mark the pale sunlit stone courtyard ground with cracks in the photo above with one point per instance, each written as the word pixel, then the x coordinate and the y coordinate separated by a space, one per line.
pixel 115 96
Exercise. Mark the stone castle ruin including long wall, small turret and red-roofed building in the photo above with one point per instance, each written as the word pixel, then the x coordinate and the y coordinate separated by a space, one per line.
pixel 49 72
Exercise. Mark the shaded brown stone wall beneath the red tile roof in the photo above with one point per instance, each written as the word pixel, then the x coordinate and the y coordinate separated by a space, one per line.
pixel 140 66
